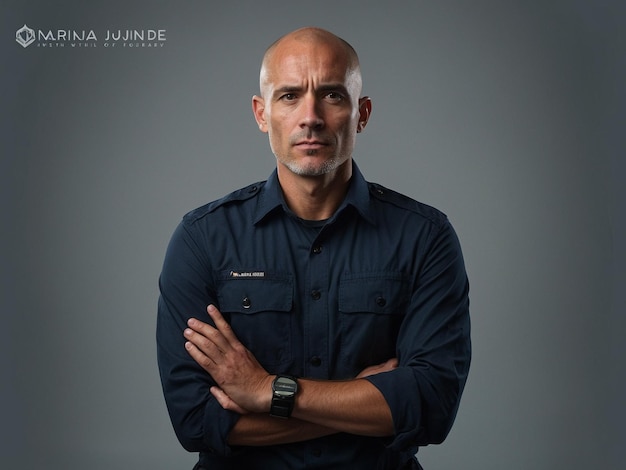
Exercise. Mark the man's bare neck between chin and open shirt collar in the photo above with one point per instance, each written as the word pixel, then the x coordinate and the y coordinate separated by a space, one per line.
pixel 315 197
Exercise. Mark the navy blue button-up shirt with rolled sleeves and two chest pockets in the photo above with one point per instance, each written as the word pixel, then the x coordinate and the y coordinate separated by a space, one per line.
pixel 383 277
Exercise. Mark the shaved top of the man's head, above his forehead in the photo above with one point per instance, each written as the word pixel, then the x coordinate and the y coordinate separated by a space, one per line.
pixel 298 40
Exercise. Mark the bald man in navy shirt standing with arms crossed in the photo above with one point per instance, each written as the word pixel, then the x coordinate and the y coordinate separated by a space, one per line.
pixel 313 320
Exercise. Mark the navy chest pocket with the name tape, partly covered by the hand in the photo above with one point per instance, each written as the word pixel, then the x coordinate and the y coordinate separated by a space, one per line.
pixel 258 306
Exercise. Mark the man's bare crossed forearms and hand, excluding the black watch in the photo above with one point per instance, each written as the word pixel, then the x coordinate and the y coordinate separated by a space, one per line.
pixel 244 386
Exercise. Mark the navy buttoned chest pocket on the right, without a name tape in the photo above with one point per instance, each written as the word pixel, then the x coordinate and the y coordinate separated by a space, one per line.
pixel 371 309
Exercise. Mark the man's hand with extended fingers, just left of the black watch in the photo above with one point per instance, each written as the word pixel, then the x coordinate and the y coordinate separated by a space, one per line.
pixel 243 384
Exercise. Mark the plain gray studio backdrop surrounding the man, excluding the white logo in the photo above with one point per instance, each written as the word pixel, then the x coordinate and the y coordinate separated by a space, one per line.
pixel 505 115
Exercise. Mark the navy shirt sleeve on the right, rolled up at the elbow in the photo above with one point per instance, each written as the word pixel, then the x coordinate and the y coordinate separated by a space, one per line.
pixel 433 347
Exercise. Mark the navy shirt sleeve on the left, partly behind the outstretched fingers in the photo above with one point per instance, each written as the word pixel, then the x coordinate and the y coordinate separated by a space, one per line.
pixel 199 421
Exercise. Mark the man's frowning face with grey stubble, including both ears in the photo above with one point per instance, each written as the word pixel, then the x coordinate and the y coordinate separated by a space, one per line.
pixel 310 106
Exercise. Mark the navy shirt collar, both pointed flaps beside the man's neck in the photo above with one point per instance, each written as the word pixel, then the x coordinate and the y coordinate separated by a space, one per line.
pixel 271 197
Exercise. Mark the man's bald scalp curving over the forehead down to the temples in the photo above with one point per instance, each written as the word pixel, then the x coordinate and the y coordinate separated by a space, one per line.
pixel 314 36
